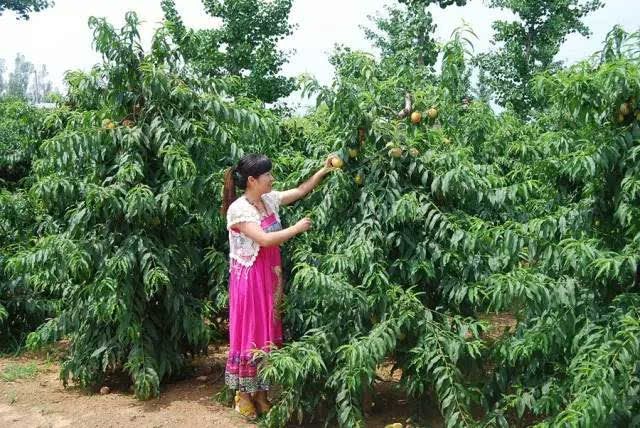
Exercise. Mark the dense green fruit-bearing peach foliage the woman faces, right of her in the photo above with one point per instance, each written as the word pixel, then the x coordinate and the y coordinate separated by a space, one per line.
pixel 474 213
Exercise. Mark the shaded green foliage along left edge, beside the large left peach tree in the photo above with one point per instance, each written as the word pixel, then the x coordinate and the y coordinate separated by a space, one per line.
pixel 22 306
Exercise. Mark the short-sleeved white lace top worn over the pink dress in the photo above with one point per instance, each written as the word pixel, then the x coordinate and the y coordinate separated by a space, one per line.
pixel 242 248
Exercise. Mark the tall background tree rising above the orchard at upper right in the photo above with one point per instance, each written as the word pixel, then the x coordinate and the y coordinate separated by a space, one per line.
pixel 529 44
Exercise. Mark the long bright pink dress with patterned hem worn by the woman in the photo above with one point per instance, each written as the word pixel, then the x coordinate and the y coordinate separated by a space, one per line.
pixel 254 318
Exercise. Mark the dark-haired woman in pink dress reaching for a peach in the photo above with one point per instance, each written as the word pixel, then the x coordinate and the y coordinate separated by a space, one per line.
pixel 255 281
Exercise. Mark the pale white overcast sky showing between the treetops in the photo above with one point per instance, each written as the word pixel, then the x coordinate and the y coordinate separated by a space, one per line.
pixel 60 37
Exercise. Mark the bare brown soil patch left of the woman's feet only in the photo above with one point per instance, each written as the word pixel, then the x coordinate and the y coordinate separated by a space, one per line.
pixel 43 402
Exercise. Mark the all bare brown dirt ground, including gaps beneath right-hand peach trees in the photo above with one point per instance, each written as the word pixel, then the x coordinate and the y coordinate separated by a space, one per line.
pixel 41 401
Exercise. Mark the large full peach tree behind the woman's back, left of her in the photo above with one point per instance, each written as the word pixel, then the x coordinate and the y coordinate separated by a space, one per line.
pixel 127 188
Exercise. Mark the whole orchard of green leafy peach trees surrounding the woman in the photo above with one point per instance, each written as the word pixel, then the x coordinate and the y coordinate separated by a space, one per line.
pixel 440 209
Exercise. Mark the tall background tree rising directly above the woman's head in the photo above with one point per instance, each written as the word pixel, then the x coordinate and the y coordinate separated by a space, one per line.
pixel 244 47
